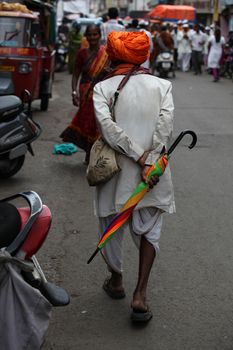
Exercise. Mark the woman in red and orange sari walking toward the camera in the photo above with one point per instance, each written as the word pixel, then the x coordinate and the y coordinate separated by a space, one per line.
pixel 90 67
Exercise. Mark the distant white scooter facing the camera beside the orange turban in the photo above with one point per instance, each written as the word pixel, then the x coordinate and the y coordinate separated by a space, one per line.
pixel 165 64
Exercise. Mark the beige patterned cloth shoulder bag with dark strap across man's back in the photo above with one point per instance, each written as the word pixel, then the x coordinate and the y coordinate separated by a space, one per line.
pixel 103 159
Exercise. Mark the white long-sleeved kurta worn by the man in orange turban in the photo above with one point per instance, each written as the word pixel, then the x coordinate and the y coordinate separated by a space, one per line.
pixel 144 121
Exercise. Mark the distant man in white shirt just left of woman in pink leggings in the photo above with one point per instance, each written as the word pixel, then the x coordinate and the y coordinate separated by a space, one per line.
pixel 197 43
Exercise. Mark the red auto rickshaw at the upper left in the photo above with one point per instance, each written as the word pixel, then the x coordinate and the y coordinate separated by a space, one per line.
pixel 27 55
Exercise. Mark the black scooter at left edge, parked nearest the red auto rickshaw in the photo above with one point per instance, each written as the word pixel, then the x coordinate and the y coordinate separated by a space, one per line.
pixel 17 132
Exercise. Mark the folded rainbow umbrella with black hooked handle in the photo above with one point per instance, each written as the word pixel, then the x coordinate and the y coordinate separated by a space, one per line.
pixel 156 169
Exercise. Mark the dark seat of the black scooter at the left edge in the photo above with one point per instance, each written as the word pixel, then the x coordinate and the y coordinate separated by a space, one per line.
pixel 9 106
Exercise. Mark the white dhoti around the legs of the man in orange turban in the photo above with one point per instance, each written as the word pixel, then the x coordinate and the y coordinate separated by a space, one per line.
pixel 145 221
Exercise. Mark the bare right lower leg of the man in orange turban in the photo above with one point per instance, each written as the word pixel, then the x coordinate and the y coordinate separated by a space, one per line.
pixel 146 258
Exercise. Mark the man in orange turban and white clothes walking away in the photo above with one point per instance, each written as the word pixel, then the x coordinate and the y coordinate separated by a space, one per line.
pixel 144 123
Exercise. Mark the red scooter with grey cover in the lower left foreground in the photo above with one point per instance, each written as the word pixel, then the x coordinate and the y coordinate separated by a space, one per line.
pixel 25 307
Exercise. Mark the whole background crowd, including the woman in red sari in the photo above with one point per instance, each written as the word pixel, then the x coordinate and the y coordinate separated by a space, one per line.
pixel 193 47
